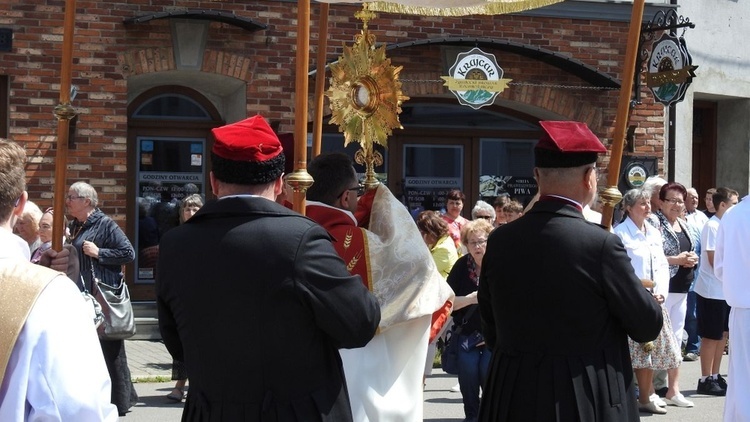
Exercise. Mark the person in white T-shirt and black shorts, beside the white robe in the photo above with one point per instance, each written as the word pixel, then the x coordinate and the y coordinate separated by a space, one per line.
pixel 713 311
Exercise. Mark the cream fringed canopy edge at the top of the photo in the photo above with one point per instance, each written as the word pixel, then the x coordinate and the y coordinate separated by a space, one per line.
pixel 450 7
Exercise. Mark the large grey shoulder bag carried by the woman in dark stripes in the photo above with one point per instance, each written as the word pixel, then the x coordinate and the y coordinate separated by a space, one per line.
pixel 119 322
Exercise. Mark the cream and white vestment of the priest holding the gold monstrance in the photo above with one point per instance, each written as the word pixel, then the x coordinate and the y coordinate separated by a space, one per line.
pixel 384 378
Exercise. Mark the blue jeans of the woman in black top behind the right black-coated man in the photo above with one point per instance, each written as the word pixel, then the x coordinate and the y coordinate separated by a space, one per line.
pixel 473 366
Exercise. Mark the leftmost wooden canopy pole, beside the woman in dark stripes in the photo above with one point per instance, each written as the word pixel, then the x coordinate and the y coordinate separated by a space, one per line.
pixel 64 113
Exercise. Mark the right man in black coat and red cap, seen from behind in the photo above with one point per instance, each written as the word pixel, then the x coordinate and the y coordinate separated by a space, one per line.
pixel 558 298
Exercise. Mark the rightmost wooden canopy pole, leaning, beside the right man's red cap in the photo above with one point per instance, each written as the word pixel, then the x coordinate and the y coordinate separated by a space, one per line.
pixel 612 196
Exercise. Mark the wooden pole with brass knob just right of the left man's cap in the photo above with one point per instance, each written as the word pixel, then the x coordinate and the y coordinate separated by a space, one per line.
pixel 300 180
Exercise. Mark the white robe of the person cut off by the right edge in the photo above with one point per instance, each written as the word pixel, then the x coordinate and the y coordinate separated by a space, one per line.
pixel 732 266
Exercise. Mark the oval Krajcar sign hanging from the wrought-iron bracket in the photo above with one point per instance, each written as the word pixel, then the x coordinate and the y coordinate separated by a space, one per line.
pixel 670 69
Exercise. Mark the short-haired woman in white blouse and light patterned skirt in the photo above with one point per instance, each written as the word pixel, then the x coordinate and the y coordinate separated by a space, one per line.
pixel 643 243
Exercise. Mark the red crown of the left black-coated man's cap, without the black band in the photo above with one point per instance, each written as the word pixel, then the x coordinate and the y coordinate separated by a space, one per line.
pixel 249 140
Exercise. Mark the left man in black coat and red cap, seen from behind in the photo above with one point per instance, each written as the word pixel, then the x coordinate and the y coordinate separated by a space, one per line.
pixel 253 297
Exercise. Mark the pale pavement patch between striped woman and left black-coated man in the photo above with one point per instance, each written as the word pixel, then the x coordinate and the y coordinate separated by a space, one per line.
pixel 148 359
